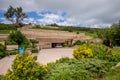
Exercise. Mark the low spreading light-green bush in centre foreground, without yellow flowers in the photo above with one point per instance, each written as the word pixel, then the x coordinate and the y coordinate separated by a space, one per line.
pixel 71 69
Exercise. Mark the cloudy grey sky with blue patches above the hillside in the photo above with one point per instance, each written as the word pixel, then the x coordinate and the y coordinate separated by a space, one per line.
pixel 90 13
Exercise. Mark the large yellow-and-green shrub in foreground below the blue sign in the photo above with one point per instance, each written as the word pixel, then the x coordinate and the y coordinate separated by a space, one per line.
pixel 25 68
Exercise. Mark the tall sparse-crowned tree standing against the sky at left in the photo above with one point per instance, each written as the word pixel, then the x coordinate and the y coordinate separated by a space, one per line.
pixel 15 15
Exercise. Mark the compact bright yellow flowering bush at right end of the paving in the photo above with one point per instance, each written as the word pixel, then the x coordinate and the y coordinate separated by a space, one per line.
pixel 82 52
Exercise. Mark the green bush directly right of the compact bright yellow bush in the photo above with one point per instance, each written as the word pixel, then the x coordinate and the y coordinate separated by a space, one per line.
pixel 105 53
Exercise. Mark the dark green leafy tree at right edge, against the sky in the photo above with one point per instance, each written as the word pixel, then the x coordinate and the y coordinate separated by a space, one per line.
pixel 112 35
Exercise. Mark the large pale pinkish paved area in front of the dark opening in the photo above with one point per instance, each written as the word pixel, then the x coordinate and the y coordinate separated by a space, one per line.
pixel 51 55
